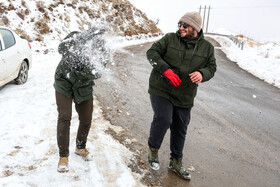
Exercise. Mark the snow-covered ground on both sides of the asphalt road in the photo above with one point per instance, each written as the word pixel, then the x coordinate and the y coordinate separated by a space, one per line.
pixel 28 149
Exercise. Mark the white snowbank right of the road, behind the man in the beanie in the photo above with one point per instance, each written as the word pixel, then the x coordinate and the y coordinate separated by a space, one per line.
pixel 262 60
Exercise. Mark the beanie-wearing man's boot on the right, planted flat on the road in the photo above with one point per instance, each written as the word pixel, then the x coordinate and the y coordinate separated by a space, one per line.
pixel 177 166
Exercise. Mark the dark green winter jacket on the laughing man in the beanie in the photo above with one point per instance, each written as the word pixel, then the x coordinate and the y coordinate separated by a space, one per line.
pixel 183 56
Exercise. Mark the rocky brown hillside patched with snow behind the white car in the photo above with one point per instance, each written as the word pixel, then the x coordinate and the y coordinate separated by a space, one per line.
pixel 37 20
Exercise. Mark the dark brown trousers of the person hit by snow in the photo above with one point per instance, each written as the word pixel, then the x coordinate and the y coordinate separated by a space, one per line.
pixel 64 108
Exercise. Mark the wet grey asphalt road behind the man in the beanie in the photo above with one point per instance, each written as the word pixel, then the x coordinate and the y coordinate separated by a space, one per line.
pixel 234 135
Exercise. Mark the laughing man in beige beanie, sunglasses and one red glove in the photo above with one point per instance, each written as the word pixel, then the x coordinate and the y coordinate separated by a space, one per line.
pixel 180 62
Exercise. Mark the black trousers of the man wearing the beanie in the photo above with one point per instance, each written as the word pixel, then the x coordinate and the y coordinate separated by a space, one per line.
pixel 166 115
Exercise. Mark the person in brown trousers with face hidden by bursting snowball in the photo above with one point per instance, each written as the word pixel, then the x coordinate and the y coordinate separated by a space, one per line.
pixel 83 56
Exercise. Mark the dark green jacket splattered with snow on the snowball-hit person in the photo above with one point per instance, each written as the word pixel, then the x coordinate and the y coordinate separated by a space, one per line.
pixel 74 76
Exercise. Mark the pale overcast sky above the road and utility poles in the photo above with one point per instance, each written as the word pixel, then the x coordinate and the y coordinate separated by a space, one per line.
pixel 257 19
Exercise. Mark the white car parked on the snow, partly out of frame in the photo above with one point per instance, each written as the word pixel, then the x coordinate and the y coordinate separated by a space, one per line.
pixel 15 57
